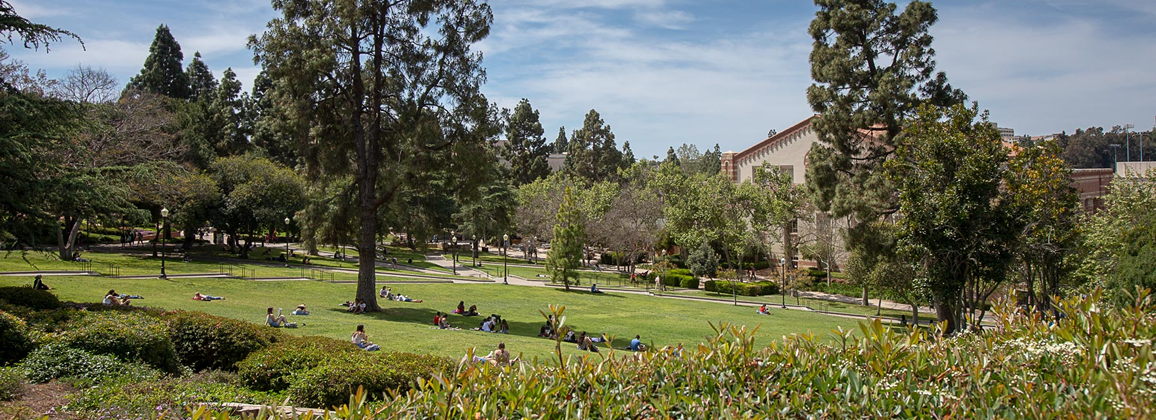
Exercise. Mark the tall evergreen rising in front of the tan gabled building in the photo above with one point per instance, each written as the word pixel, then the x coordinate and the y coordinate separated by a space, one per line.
pixel 872 69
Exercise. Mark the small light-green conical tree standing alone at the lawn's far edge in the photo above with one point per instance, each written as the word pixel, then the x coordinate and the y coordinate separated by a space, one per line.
pixel 566 250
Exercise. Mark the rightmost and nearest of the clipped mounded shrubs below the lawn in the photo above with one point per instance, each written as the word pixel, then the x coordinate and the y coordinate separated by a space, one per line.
pixel 331 382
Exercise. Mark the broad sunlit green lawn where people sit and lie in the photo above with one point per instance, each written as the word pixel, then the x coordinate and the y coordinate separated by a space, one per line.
pixel 406 327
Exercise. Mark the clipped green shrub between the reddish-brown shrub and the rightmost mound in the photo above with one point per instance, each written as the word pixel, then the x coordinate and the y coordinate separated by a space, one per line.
pixel 272 369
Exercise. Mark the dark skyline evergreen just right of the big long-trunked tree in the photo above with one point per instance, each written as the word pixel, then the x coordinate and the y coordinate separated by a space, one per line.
pixel 527 150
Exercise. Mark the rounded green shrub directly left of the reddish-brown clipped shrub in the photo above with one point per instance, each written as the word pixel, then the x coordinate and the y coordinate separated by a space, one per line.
pixel 129 335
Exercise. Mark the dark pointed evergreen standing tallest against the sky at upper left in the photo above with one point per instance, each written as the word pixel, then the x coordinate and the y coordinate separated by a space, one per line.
pixel 164 73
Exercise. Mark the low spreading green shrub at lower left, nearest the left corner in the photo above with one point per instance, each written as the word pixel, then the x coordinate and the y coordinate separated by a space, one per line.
pixel 56 362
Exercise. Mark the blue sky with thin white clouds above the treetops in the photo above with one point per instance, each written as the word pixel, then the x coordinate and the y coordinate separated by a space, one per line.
pixel 703 72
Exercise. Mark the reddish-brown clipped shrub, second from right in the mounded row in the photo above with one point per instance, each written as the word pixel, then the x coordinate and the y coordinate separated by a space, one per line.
pixel 206 342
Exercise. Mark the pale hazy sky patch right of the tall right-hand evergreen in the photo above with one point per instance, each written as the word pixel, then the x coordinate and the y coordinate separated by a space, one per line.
pixel 1050 76
